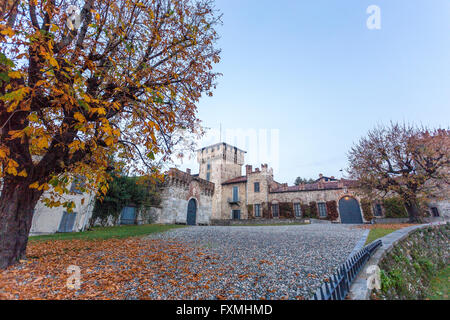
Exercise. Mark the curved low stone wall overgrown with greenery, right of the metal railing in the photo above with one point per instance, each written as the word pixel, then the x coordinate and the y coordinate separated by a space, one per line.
pixel 407 258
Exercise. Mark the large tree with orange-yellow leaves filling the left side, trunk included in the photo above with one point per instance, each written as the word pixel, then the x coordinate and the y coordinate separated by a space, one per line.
pixel 82 81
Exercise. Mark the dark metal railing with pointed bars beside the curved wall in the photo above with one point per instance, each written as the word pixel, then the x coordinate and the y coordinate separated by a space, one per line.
pixel 339 283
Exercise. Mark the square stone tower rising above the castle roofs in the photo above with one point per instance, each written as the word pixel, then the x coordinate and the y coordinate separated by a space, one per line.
pixel 219 163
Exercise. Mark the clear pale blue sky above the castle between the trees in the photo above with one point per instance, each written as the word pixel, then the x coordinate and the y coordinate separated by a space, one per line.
pixel 313 71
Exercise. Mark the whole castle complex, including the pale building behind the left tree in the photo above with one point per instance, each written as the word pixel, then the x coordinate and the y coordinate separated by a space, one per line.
pixel 220 194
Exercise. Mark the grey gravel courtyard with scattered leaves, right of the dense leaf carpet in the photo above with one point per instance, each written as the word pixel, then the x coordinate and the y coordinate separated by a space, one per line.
pixel 262 262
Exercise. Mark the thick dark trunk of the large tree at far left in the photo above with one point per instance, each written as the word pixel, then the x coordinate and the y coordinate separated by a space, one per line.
pixel 17 202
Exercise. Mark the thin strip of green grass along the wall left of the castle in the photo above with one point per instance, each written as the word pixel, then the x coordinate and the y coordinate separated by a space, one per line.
pixel 101 233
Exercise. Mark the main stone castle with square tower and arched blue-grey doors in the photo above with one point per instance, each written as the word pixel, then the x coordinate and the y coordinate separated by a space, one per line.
pixel 219 192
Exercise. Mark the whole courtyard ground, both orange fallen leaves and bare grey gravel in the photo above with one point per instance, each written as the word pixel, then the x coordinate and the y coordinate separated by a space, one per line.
pixel 283 262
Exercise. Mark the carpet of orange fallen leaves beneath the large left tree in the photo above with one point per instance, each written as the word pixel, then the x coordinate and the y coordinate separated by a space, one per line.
pixel 110 269
